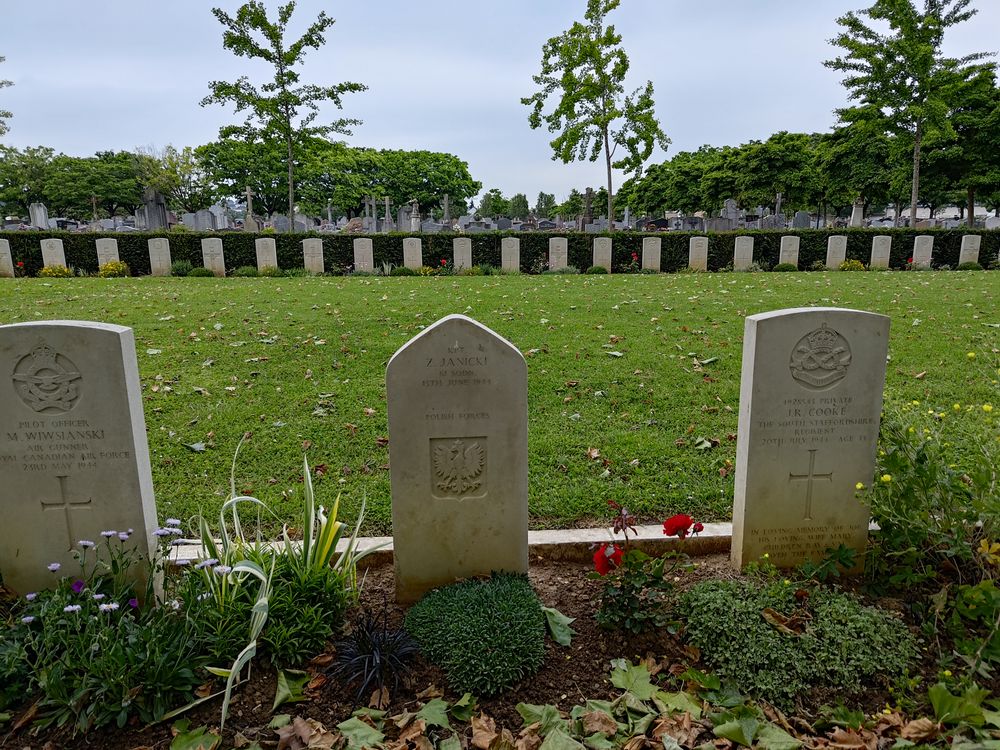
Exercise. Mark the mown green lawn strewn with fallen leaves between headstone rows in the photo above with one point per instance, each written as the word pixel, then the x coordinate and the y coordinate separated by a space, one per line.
pixel 300 363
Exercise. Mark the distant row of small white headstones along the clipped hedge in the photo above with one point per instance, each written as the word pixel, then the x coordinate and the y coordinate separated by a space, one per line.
pixel 213 256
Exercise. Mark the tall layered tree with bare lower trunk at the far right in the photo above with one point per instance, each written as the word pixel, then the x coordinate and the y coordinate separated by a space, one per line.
pixel 904 73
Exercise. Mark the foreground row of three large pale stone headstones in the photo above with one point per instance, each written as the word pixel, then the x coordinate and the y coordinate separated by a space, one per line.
pixel 74 461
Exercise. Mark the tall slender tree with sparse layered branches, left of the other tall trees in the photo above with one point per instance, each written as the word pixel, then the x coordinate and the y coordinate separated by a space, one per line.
pixel 281 109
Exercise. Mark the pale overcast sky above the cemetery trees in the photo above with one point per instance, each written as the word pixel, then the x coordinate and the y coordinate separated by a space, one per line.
pixel 442 75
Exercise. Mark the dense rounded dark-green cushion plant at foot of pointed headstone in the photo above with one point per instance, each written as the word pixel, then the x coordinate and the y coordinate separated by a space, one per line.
pixel 487 635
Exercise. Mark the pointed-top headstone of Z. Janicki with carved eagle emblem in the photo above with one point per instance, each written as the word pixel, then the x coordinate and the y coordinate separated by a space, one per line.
pixel 458 447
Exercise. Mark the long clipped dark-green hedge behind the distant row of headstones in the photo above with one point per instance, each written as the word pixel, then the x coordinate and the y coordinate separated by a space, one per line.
pixel 338 249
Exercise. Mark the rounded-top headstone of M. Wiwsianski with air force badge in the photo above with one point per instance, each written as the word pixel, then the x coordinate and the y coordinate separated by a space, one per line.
pixel 73 454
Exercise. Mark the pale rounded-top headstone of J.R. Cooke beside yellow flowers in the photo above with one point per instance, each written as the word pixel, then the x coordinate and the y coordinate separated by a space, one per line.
pixel 810 400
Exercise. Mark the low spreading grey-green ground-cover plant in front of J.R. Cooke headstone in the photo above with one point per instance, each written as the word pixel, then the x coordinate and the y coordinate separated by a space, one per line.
pixel 839 644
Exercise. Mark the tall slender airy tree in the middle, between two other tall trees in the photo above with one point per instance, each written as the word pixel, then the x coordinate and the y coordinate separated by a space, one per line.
pixel 587 66
